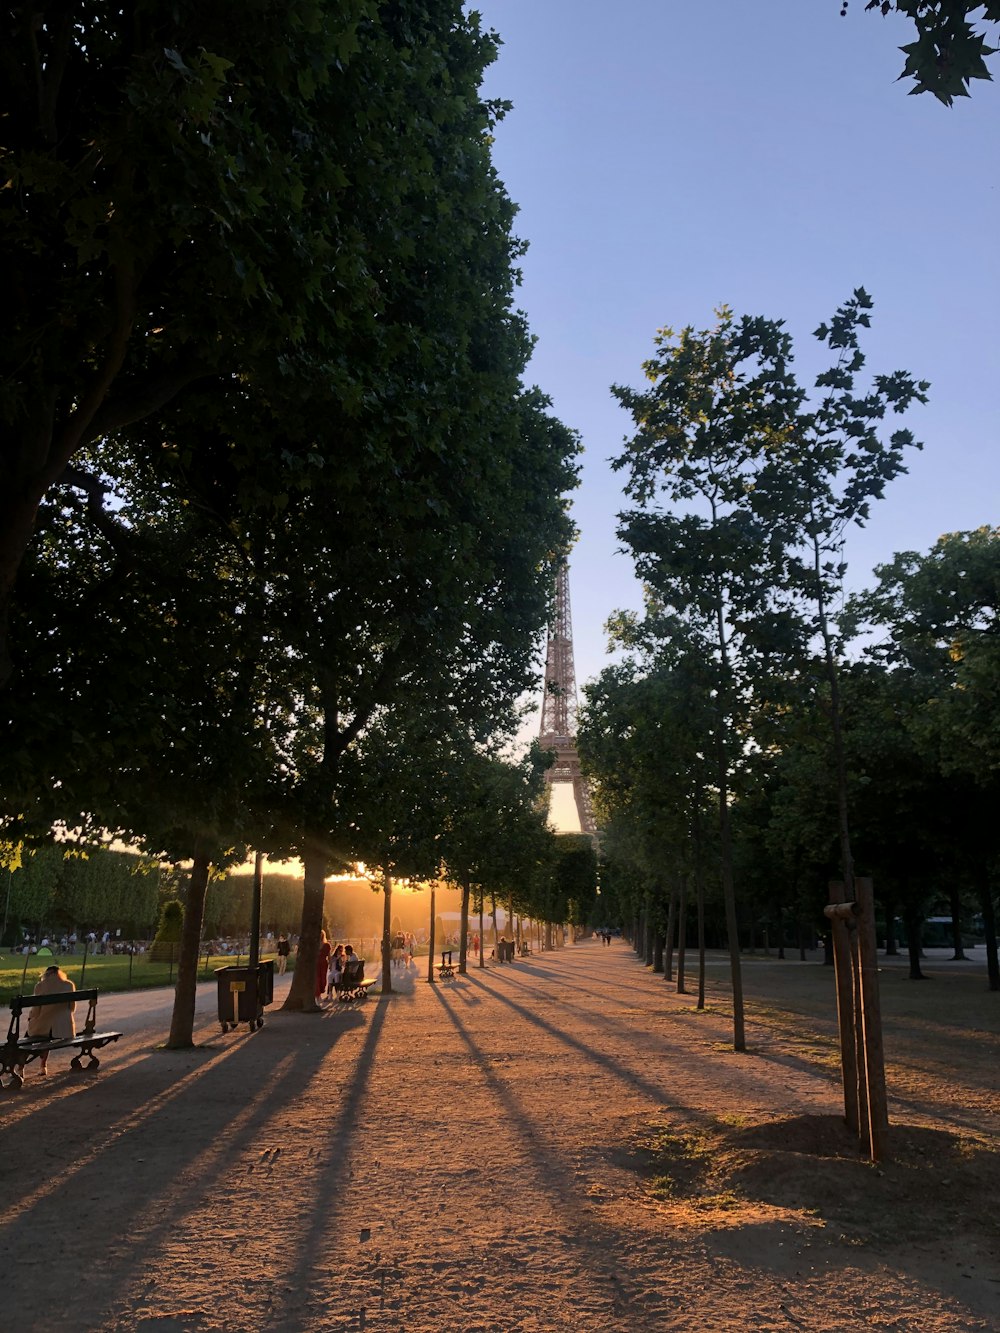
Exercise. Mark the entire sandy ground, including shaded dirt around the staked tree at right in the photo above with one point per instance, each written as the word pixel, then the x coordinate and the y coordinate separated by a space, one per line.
pixel 553 1146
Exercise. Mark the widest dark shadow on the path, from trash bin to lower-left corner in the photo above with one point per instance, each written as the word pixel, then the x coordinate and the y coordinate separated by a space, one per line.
pixel 213 1119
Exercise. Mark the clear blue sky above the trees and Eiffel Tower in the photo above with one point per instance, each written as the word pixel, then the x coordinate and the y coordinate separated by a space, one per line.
pixel 674 155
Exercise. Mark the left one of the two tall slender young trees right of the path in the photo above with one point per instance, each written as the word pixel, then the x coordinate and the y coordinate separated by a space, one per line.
pixel 719 402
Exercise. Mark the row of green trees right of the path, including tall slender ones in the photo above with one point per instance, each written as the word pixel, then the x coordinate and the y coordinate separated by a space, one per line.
pixel 742 738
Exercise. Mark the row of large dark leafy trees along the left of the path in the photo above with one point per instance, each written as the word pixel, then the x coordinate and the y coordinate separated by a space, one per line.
pixel 282 517
